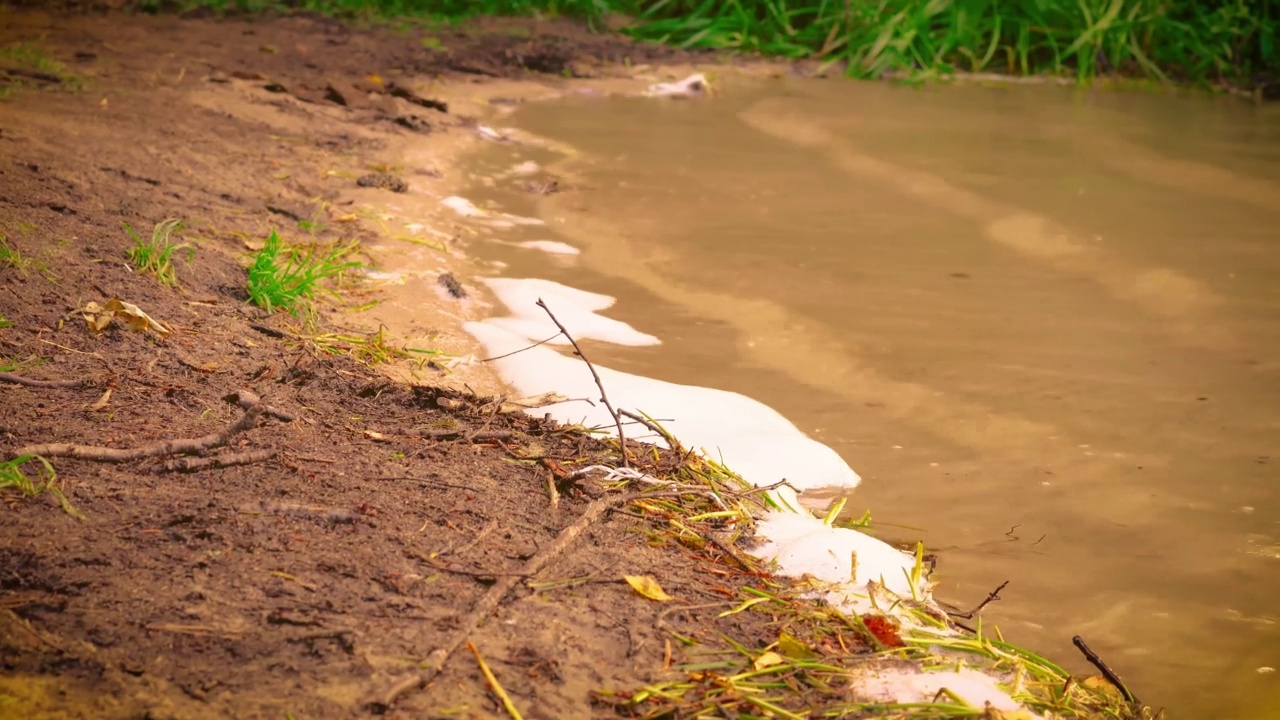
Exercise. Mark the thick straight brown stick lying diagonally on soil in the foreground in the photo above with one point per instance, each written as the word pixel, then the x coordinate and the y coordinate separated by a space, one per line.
pixel 495 596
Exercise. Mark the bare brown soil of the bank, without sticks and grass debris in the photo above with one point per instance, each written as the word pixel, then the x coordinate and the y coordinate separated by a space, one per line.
pixel 371 517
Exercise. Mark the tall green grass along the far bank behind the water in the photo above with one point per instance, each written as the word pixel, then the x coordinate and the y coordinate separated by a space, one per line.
pixel 1210 42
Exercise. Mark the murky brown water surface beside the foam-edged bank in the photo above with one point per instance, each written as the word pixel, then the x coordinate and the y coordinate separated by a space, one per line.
pixel 1043 325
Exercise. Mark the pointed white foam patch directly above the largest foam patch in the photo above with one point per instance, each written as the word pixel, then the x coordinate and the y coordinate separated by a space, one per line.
pixel 575 308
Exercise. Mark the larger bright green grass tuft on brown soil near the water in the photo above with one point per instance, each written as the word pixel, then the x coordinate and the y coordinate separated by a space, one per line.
pixel 289 280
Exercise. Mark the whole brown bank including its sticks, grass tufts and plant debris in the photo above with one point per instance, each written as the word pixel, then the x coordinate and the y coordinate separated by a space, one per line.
pixel 211 513
